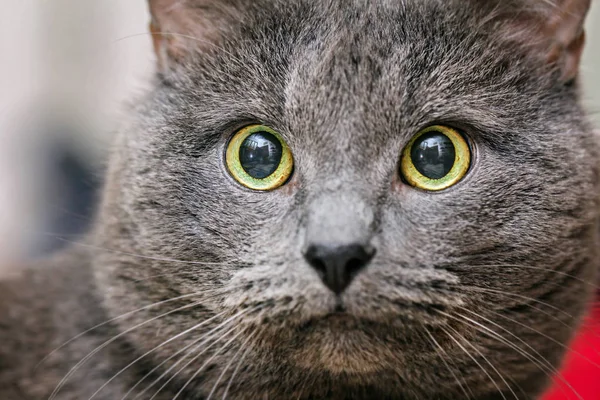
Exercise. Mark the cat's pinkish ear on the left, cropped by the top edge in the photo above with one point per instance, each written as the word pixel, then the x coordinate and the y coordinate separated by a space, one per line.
pixel 180 28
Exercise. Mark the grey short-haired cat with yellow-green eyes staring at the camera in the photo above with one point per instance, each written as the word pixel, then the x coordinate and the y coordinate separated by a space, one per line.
pixel 393 199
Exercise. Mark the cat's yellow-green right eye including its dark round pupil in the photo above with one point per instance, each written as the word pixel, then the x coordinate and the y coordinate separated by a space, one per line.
pixel 435 158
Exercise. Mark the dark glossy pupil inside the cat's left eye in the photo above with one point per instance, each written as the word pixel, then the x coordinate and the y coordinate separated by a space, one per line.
pixel 260 154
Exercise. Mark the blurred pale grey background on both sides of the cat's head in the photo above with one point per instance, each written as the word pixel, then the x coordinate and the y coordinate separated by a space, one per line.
pixel 67 68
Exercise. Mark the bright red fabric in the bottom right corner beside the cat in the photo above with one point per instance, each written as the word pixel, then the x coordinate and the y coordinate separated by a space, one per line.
pixel 582 365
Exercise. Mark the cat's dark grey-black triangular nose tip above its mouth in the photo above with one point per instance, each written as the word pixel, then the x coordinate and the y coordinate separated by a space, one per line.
pixel 338 265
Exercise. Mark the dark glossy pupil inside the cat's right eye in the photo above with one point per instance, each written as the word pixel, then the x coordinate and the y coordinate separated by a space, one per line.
pixel 433 155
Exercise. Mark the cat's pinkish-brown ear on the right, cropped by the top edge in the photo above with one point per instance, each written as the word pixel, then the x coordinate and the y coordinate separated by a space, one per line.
pixel 558 28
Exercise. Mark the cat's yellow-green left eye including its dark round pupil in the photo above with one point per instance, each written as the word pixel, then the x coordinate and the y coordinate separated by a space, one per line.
pixel 258 158
